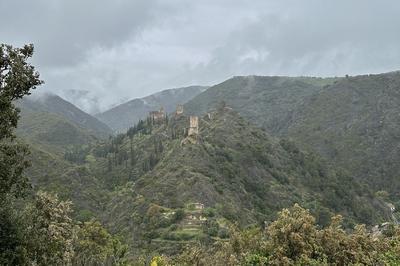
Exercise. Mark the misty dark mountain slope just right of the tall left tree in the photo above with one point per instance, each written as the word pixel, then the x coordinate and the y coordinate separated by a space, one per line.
pixel 55 105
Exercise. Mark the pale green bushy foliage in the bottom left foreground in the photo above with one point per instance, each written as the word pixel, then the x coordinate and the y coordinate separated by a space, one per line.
pixel 45 234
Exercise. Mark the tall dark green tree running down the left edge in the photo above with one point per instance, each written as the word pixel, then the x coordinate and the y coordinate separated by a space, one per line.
pixel 17 79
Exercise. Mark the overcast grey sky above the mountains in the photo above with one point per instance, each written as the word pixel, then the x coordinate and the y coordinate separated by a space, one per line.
pixel 97 53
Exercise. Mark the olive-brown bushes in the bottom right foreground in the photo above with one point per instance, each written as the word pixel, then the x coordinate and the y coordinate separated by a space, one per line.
pixel 295 239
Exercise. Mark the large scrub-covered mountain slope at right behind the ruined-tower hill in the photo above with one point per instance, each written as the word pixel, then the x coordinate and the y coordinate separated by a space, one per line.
pixel 353 121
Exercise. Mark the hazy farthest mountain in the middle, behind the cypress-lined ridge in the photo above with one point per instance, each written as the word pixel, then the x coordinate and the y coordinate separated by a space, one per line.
pixel 123 116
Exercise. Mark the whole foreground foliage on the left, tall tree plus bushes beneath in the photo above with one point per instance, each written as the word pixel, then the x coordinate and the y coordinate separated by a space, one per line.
pixel 38 231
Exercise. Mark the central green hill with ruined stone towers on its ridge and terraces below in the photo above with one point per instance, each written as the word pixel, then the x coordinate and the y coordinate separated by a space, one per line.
pixel 157 177
